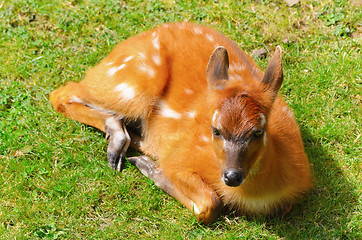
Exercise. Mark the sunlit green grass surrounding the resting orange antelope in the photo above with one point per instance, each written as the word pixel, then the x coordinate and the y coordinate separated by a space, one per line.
pixel 55 182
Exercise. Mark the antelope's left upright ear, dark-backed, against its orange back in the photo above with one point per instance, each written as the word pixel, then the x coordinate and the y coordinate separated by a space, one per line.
pixel 217 69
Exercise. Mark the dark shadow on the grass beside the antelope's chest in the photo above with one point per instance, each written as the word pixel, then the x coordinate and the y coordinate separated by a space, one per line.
pixel 326 212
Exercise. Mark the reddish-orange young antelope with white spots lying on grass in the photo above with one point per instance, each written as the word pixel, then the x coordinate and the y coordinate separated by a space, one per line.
pixel 189 98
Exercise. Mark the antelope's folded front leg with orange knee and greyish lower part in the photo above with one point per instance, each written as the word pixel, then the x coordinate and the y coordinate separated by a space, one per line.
pixel 187 187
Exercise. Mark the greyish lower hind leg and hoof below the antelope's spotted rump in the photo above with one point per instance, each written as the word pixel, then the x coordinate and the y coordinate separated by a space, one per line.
pixel 119 141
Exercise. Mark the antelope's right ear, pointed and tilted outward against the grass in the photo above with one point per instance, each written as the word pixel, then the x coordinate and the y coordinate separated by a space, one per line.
pixel 273 76
